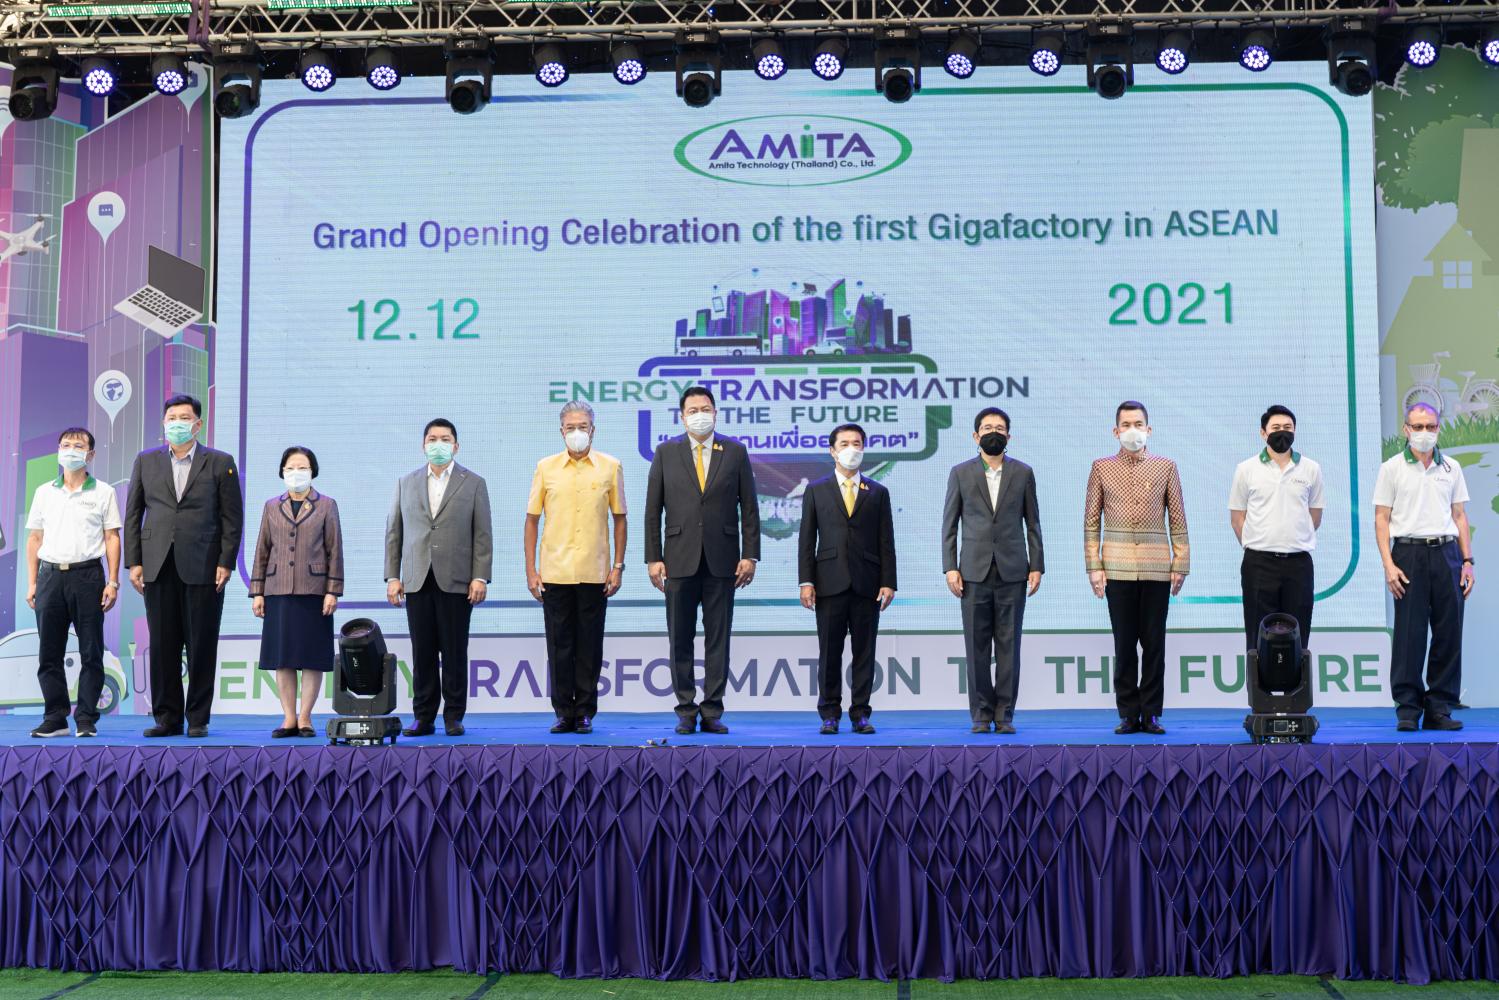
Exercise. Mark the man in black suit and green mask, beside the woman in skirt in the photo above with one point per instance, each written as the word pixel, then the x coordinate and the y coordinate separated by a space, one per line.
pixel 184 521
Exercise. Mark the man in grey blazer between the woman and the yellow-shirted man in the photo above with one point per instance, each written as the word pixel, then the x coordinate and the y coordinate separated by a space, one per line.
pixel 438 557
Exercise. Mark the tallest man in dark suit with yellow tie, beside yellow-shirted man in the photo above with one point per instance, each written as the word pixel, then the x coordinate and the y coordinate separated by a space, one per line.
pixel 705 487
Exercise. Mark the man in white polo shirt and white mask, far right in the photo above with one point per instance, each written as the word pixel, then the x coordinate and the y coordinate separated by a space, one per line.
pixel 1422 527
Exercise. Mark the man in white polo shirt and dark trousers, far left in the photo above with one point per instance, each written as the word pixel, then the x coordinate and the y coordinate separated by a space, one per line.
pixel 74 524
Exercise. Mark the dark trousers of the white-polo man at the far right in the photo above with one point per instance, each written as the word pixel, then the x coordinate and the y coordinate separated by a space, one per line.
pixel 1434 602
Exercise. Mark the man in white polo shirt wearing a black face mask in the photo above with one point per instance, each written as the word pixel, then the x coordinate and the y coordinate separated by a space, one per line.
pixel 1276 507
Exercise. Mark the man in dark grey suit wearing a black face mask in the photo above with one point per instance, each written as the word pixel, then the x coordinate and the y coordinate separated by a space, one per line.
pixel 995 500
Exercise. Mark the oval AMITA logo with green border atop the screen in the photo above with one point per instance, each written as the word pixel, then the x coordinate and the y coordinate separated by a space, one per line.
pixel 779 151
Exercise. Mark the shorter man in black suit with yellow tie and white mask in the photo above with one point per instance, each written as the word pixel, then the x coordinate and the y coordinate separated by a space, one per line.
pixel 848 570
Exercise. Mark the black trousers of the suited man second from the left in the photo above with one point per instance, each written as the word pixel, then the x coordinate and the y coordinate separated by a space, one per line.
pixel 184 620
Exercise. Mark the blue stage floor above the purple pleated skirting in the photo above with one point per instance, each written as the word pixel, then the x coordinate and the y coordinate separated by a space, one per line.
pixel 785 729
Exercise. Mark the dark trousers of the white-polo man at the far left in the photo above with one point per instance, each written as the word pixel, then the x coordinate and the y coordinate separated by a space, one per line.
pixel 62 600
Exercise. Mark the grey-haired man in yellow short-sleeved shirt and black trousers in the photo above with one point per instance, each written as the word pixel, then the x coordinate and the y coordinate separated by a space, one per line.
pixel 576 491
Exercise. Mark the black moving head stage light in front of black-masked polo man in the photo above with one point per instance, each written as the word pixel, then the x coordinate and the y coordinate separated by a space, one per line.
pixel 1279 680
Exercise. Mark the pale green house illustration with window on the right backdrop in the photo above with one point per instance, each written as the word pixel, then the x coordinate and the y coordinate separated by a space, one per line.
pixel 1446 337
